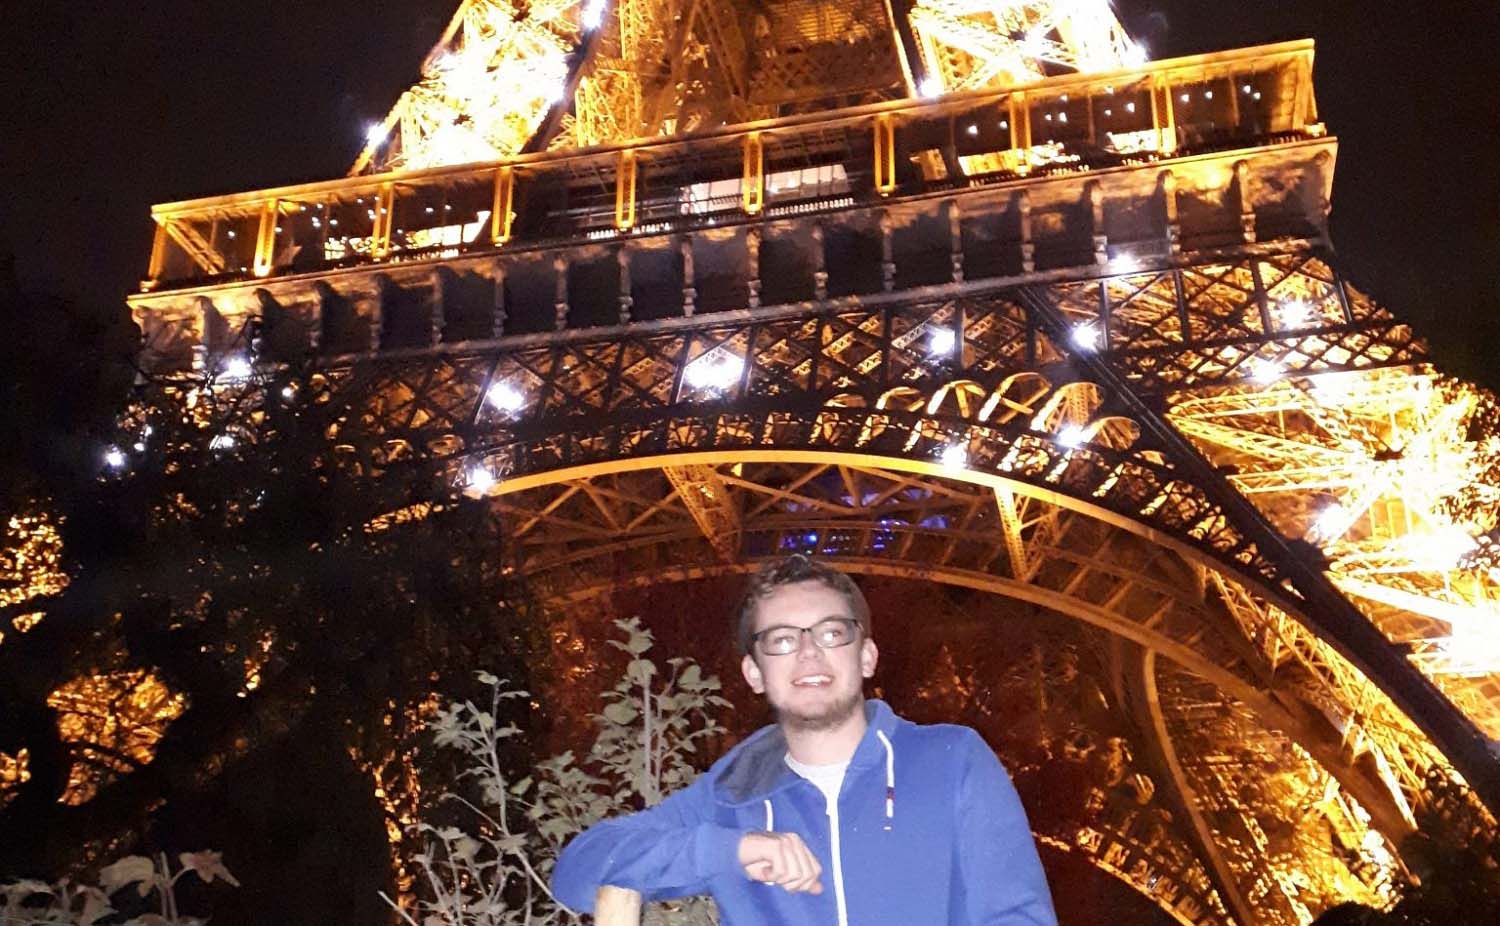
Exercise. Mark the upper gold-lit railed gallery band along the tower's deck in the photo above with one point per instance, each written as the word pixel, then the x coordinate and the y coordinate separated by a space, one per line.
pixel 773 169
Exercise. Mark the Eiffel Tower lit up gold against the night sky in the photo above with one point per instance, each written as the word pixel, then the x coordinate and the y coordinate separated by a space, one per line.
pixel 946 292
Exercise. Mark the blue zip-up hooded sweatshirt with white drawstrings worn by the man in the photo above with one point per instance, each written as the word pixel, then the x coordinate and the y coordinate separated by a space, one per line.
pixel 928 832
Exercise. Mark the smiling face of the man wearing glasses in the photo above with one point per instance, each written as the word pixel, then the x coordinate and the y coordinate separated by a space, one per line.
pixel 811 688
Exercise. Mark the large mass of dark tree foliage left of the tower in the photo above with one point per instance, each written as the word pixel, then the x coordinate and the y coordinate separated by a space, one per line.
pixel 298 588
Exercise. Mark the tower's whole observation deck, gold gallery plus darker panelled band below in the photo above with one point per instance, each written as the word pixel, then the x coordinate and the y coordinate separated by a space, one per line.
pixel 1072 176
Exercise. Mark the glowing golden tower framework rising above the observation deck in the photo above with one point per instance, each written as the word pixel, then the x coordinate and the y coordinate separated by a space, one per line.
pixel 509 77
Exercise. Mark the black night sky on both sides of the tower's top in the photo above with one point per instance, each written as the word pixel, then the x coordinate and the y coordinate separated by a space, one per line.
pixel 107 109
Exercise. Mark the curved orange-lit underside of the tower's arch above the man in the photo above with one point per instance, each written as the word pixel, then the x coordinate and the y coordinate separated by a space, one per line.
pixel 1126 586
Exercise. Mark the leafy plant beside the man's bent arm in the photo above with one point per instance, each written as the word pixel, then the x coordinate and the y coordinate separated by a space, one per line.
pixel 650 730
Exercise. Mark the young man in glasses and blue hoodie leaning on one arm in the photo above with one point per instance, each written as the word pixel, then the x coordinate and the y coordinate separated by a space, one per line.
pixel 842 813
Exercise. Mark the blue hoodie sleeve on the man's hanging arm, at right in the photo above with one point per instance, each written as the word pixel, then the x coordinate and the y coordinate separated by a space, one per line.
pixel 998 864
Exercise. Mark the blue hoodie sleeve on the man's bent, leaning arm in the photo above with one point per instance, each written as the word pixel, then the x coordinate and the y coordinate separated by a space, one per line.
pixel 667 852
